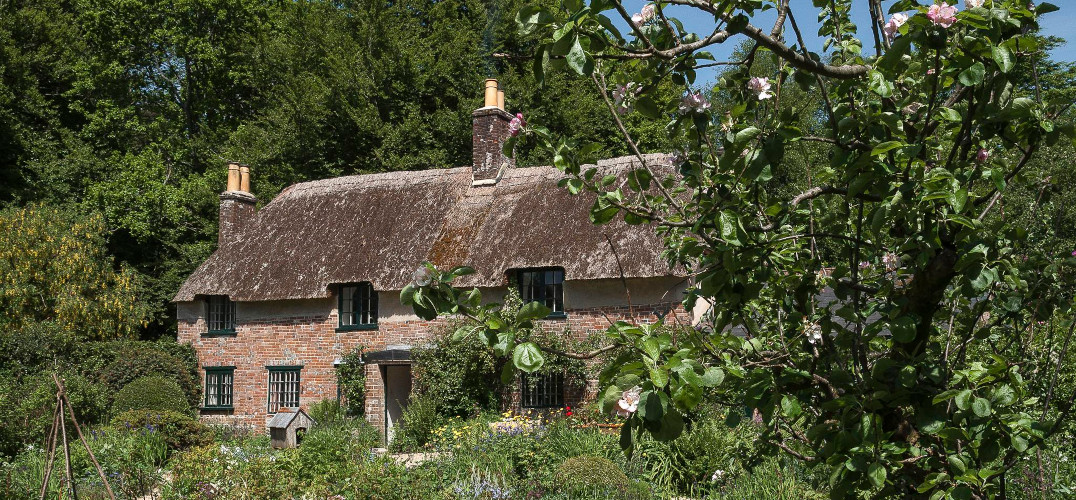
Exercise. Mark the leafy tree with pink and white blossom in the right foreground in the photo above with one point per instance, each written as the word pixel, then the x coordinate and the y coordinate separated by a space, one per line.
pixel 847 304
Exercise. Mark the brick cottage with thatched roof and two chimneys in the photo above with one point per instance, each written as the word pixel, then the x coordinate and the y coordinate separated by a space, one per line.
pixel 318 270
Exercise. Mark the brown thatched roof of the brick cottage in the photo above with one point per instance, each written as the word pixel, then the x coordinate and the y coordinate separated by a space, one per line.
pixel 379 228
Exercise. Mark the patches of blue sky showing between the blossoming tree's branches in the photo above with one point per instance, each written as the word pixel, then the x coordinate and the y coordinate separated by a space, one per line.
pixel 1057 24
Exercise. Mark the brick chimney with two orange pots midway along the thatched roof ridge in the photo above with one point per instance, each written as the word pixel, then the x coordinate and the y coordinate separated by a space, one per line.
pixel 490 130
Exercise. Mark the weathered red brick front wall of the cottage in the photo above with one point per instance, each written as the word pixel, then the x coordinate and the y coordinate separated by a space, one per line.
pixel 313 341
